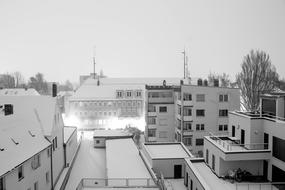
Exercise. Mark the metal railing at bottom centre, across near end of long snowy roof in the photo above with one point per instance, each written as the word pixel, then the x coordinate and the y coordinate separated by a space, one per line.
pixel 116 182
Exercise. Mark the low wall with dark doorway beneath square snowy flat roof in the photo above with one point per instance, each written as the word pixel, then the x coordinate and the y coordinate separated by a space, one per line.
pixel 166 166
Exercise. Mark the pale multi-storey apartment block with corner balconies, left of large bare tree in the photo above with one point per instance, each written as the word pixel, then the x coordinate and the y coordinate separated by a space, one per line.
pixel 201 109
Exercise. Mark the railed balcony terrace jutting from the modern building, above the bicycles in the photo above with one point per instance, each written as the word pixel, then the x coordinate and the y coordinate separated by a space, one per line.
pixel 232 150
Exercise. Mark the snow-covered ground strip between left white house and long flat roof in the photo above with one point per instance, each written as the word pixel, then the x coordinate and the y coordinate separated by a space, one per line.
pixel 90 162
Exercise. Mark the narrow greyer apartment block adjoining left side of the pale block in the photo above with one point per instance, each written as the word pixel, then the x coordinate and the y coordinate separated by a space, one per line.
pixel 159 116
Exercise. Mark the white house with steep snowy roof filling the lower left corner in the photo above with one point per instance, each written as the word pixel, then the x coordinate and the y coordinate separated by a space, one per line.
pixel 43 114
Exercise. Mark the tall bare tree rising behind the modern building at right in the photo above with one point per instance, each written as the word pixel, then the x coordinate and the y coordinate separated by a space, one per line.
pixel 258 76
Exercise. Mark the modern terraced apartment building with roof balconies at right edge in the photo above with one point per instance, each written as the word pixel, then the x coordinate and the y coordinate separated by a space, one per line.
pixel 256 143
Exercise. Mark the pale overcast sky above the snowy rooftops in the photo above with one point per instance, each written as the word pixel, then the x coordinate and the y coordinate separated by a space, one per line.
pixel 137 38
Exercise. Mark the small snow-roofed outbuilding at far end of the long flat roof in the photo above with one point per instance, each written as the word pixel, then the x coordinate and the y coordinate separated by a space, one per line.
pixel 100 136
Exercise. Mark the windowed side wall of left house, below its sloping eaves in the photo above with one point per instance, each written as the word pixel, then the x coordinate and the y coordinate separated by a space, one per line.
pixel 30 175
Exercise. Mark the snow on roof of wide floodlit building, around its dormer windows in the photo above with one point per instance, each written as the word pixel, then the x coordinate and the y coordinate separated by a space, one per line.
pixel 91 91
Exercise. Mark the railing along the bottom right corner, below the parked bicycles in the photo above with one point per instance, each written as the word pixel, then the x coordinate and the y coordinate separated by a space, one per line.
pixel 261 186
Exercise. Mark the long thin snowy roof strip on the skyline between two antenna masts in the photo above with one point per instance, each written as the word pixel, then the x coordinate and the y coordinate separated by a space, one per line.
pixel 134 81
